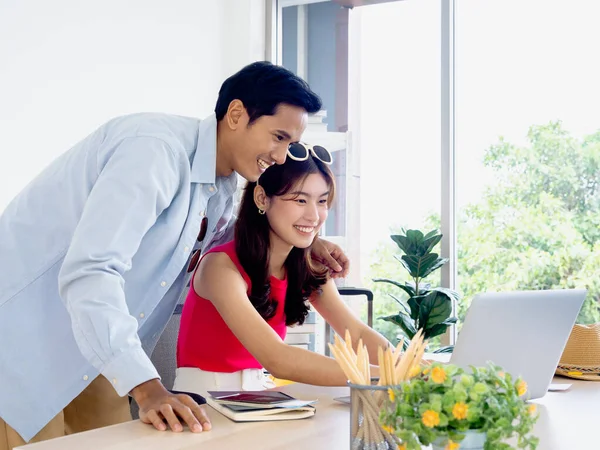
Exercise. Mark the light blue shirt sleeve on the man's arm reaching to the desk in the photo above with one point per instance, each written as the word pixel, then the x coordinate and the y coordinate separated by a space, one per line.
pixel 137 183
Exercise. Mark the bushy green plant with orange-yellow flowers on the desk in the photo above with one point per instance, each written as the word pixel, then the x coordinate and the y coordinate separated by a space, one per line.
pixel 449 408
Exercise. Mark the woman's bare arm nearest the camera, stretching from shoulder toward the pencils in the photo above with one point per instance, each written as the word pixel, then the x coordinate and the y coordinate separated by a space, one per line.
pixel 219 281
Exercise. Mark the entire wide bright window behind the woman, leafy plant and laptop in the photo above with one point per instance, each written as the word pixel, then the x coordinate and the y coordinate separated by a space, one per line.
pixel 506 93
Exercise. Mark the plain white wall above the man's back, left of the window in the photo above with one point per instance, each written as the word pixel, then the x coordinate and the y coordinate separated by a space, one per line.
pixel 66 66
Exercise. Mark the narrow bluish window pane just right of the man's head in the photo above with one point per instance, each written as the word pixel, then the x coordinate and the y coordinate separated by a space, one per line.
pixel 314 45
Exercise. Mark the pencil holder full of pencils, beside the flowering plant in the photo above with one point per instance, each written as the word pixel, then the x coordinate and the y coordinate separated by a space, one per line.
pixel 366 433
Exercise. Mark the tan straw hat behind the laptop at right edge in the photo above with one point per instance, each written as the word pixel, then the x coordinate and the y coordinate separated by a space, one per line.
pixel 581 356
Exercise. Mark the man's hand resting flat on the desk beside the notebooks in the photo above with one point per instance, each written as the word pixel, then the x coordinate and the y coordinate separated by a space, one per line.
pixel 157 403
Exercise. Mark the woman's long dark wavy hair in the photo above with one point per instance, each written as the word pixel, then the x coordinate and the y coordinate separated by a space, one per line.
pixel 252 242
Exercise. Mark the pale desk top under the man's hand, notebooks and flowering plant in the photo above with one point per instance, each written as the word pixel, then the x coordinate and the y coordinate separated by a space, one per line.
pixel 569 420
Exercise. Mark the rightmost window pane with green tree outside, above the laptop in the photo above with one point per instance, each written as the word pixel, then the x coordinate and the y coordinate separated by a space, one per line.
pixel 527 147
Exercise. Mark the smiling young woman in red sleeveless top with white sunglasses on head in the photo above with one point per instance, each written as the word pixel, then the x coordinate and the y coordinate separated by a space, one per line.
pixel 246 292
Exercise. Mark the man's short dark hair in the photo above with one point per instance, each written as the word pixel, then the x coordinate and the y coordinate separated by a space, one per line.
pixel 262 87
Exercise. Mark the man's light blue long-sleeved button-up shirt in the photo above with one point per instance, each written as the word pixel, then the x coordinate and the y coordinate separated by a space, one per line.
pixel 93 258
